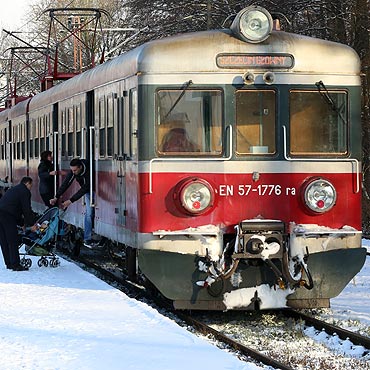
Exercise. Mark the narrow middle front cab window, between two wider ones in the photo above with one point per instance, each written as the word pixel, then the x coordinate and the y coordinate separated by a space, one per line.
pixel 255 122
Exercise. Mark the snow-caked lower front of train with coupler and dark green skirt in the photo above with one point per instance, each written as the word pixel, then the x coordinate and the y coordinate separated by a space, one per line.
pixel 261 266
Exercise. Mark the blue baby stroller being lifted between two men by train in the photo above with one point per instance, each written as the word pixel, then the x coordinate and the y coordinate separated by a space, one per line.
pixel 42 242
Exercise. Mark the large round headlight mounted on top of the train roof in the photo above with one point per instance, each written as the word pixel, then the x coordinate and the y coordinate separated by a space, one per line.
pixel 252 24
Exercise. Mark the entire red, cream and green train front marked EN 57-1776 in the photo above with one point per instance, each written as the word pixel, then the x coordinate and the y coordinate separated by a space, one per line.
pixel 251 196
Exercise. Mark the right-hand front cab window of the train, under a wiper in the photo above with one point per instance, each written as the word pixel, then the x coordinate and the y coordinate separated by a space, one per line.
pixel 318 126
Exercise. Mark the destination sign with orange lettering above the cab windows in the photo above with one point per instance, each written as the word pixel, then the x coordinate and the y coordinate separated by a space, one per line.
pixel 271 61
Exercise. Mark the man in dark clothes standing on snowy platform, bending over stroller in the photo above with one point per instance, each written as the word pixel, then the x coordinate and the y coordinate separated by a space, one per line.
pixel 15 204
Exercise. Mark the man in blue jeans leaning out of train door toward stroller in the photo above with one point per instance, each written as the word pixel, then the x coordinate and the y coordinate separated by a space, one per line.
pixel 79 172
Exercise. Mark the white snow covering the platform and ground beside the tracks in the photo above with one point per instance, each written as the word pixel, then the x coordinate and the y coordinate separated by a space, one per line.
pixel 65 318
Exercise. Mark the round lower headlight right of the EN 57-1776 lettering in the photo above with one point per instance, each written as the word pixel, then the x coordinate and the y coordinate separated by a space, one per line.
pixel 320 195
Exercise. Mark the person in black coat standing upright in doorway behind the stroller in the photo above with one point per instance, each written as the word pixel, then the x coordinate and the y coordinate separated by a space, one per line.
pixel 46 173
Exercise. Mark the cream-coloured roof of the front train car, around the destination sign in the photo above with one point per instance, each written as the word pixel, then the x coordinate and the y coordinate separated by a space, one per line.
pixel 196 52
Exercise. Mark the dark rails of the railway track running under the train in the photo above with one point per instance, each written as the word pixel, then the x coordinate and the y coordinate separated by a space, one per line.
pixel 115 276
